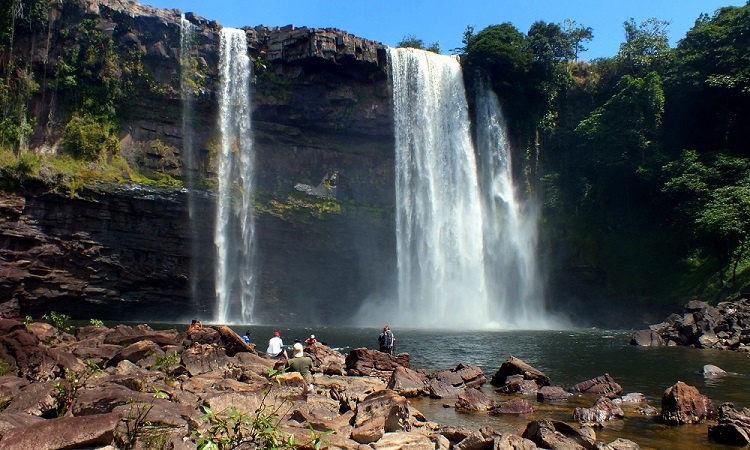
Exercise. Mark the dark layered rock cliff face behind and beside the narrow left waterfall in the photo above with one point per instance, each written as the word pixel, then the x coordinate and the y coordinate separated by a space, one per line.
pixel 321 105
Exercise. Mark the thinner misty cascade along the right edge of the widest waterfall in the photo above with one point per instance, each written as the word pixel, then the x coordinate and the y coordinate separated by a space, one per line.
pixel 510 224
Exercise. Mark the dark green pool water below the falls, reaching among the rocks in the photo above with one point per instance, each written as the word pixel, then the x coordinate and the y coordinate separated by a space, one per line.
pixel 567 357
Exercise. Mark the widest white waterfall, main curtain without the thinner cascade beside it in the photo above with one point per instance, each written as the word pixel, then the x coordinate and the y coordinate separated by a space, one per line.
pixel 439 230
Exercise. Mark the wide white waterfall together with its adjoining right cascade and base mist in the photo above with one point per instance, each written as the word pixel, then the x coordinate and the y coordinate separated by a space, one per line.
pixel 466 243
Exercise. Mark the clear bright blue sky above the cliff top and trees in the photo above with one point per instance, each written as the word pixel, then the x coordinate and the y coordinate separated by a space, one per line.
pixel 444 21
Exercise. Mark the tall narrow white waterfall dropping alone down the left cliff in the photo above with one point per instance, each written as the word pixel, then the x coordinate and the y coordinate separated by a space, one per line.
pixel 235 222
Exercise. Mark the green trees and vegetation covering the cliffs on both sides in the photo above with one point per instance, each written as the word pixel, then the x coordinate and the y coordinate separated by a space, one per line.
pixel 640 160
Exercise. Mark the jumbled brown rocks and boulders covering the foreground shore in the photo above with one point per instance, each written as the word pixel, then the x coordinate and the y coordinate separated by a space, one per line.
pixel 136 388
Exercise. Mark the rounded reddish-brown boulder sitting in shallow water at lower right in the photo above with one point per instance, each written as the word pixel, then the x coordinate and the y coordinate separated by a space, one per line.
pixel 682 403
